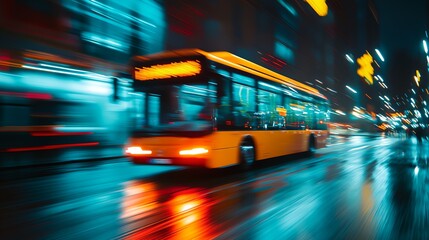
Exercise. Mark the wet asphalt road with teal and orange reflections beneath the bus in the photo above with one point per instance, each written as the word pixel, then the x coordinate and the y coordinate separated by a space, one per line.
pixel 357 188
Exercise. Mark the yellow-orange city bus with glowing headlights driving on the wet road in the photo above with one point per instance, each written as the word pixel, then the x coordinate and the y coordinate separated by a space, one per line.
pixel 215 109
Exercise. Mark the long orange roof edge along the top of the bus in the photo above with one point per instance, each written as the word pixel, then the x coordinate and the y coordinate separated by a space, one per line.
pixel 231 60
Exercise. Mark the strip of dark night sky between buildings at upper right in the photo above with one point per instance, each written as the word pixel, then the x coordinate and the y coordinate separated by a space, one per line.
pixel 402 26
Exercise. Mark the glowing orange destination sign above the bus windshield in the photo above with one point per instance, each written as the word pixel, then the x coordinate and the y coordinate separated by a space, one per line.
pixel 169 70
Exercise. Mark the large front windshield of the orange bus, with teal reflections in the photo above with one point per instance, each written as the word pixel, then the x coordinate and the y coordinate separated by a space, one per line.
pixel 167 109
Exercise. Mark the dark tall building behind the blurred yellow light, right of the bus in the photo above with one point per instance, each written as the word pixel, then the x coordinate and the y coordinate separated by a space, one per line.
pixel 356 32
